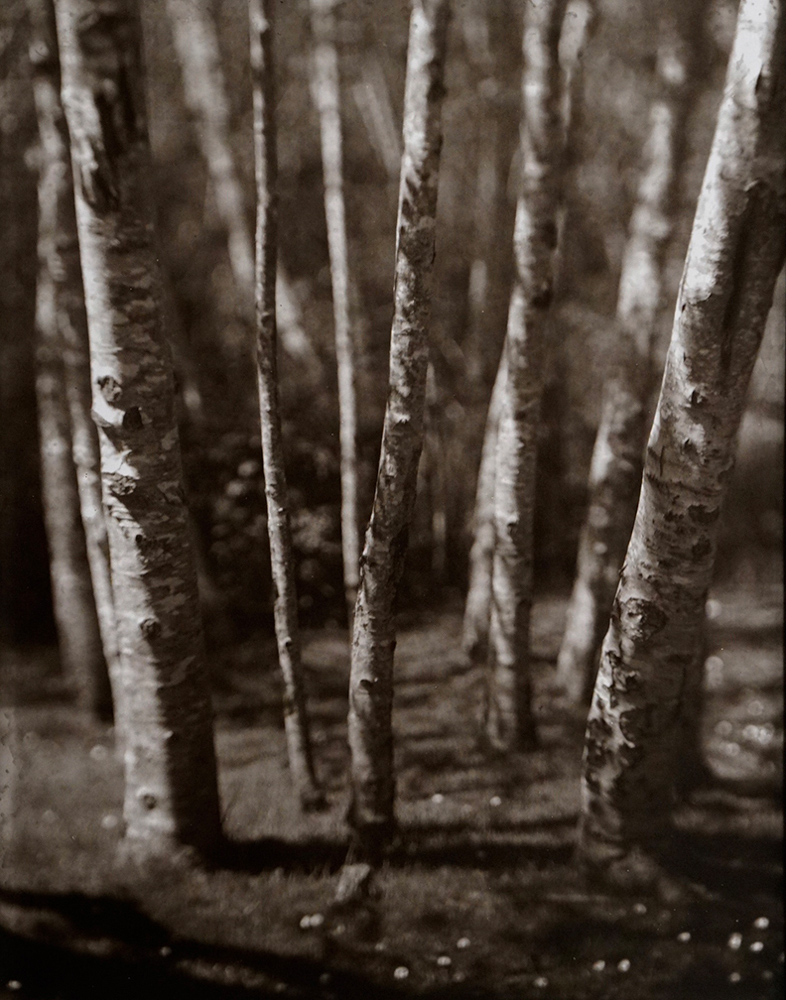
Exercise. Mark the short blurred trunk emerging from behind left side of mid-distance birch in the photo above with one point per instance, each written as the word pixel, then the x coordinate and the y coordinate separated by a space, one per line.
pixel 477 609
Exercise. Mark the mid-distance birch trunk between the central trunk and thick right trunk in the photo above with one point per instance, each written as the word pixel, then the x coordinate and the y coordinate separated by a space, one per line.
pixel 510 723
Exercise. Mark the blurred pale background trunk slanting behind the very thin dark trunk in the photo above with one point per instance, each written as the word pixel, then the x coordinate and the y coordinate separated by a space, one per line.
pixel 204 86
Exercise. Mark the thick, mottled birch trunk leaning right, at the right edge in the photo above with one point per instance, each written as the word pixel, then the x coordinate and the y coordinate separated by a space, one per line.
pixel 649 653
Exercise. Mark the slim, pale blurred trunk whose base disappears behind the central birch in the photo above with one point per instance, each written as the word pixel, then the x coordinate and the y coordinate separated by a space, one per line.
pixel 327 97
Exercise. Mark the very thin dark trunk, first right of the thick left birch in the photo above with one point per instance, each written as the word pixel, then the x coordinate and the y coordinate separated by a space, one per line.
pixel 279 531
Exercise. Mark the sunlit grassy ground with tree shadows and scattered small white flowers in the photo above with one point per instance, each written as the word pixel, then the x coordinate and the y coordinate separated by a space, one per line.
pixel 478 899
